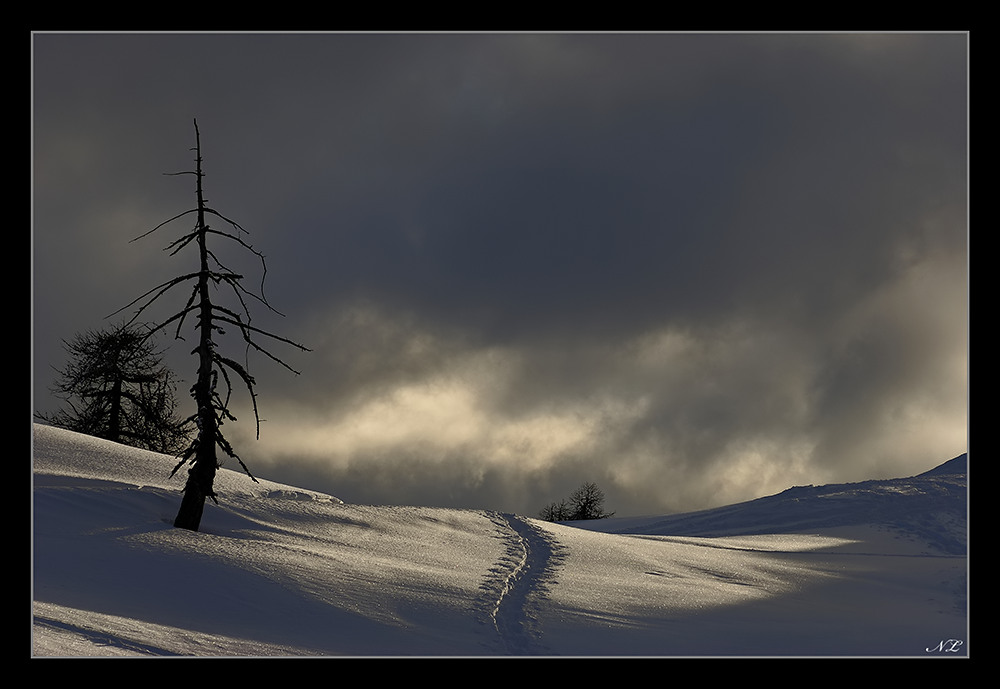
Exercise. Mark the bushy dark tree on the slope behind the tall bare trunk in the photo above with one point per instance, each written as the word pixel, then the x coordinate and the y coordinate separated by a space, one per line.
pixel 116 387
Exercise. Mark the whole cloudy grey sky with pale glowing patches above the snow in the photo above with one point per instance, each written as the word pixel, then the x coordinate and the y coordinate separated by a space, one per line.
pixel 692 268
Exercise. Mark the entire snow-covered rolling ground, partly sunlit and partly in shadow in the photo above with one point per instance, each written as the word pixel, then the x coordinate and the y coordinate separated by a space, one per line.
pixel 875 568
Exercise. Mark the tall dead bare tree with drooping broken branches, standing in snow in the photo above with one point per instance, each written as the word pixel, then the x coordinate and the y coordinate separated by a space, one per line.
pixel 211 319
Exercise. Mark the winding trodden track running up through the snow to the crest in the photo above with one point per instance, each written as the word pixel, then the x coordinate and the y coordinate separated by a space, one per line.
pixel 518 581
